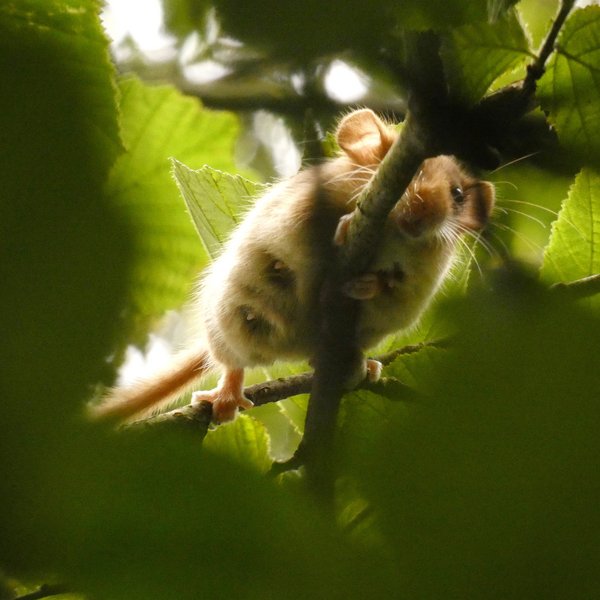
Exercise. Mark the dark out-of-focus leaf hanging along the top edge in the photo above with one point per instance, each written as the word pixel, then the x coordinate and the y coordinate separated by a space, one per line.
pixel 308 29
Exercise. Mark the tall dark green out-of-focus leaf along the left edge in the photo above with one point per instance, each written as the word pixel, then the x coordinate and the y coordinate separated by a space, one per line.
pixel 64 253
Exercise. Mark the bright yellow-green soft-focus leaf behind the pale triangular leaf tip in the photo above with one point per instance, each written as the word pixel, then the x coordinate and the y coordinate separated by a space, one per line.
pixel 159 122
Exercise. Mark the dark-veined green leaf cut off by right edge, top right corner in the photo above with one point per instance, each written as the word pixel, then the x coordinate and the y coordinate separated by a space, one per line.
pixel 570 89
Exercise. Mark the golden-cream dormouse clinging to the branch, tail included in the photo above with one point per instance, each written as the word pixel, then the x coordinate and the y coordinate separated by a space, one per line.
pixel 257 302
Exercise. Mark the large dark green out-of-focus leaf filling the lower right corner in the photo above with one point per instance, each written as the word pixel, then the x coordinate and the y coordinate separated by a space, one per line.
pixel 490 489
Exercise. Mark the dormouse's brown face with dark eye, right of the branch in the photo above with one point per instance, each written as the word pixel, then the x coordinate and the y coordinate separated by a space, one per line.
pixel 443 201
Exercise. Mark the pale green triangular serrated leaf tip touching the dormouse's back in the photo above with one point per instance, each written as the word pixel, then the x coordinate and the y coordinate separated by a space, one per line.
pixel 215 200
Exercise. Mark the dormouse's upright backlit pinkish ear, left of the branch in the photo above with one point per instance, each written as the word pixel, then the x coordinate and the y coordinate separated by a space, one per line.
pixel 364 137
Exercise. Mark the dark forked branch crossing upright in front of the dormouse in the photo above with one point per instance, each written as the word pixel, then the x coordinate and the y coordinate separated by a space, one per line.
pixel 435 124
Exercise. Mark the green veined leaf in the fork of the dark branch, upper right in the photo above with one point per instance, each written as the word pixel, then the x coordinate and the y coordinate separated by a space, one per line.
pixel 475 55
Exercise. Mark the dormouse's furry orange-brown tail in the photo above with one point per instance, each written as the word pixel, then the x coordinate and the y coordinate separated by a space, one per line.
pixel 123 403
